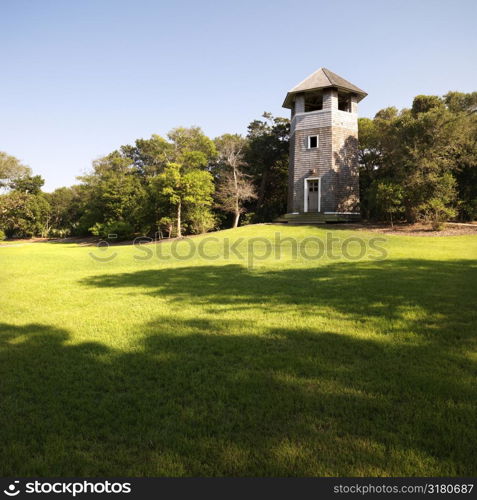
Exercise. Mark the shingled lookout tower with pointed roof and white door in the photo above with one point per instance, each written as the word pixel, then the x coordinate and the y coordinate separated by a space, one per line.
pixel 323 182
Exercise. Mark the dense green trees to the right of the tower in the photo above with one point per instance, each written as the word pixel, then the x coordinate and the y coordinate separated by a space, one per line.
pixel 420 150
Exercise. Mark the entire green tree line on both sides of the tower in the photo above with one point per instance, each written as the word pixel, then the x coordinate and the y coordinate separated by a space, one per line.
pixel 416 164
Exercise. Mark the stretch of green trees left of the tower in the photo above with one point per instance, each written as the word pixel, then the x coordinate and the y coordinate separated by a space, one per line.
pixel 184 183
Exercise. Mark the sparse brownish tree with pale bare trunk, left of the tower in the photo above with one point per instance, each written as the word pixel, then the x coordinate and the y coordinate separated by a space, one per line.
pixel 234 186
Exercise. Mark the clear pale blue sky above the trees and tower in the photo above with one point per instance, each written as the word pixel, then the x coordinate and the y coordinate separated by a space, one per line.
pixel 80 78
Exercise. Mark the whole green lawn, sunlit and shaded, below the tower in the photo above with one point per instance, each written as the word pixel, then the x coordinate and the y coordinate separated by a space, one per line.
pixel 198 367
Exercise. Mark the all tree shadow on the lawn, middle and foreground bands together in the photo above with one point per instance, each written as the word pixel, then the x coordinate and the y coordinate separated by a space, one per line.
pixel 196 398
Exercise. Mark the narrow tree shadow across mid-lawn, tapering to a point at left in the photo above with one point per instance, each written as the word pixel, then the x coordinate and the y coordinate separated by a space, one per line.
pixel 442 295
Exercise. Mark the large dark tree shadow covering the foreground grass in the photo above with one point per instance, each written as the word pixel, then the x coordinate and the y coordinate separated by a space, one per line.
pixel 286 403
